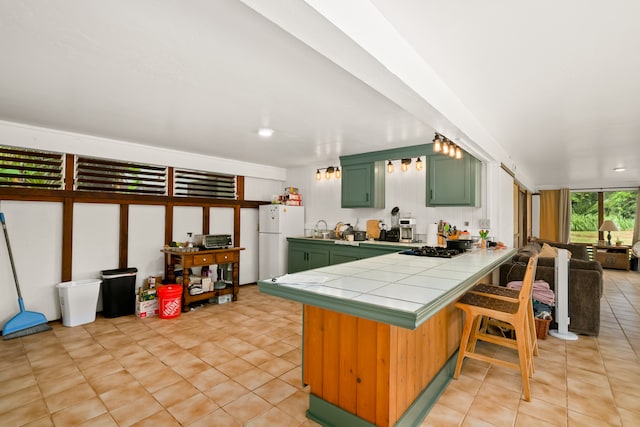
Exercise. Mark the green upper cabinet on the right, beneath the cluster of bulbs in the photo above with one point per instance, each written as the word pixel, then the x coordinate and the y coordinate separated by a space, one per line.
pixel 453 182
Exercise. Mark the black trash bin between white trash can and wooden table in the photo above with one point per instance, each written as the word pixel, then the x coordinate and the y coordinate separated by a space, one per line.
pixel 118 292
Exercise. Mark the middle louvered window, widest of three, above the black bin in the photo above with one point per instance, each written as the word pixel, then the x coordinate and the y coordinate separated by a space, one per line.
pixel 119 177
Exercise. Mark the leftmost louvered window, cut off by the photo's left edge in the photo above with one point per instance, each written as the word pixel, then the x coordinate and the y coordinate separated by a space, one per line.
pixel 24 168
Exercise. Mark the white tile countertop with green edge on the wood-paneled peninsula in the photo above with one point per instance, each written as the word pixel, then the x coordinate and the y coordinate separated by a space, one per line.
pixel 397 289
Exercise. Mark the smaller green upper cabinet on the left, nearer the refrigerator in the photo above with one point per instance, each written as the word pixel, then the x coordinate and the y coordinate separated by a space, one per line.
pixel 363 185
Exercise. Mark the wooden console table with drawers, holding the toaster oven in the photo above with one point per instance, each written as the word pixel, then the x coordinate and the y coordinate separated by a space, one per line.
pixel 202 258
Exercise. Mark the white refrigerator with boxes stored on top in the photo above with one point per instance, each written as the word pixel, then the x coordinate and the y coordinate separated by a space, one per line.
pixel 277 222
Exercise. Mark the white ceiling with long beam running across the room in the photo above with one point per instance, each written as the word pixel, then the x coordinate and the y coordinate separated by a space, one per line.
pixel 549 89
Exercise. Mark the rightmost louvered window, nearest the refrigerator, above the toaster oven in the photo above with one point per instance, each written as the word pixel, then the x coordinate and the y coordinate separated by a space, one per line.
pixel 204 184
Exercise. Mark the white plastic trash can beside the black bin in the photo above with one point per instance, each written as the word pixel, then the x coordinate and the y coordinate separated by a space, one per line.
pixel 79 301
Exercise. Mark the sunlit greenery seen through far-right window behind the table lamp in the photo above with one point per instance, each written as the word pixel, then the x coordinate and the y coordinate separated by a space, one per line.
pixel 618 206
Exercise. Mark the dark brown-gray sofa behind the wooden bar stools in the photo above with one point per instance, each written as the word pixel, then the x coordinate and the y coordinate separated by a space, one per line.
pixel 585 282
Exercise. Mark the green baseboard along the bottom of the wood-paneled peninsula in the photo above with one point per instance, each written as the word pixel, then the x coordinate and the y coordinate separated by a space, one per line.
pixel 329 415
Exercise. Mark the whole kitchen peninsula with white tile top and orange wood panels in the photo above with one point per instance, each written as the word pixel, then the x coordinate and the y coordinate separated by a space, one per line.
pixel 379 334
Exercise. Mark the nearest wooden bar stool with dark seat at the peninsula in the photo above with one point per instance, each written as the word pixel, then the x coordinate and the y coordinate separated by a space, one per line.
pixel 516 312
